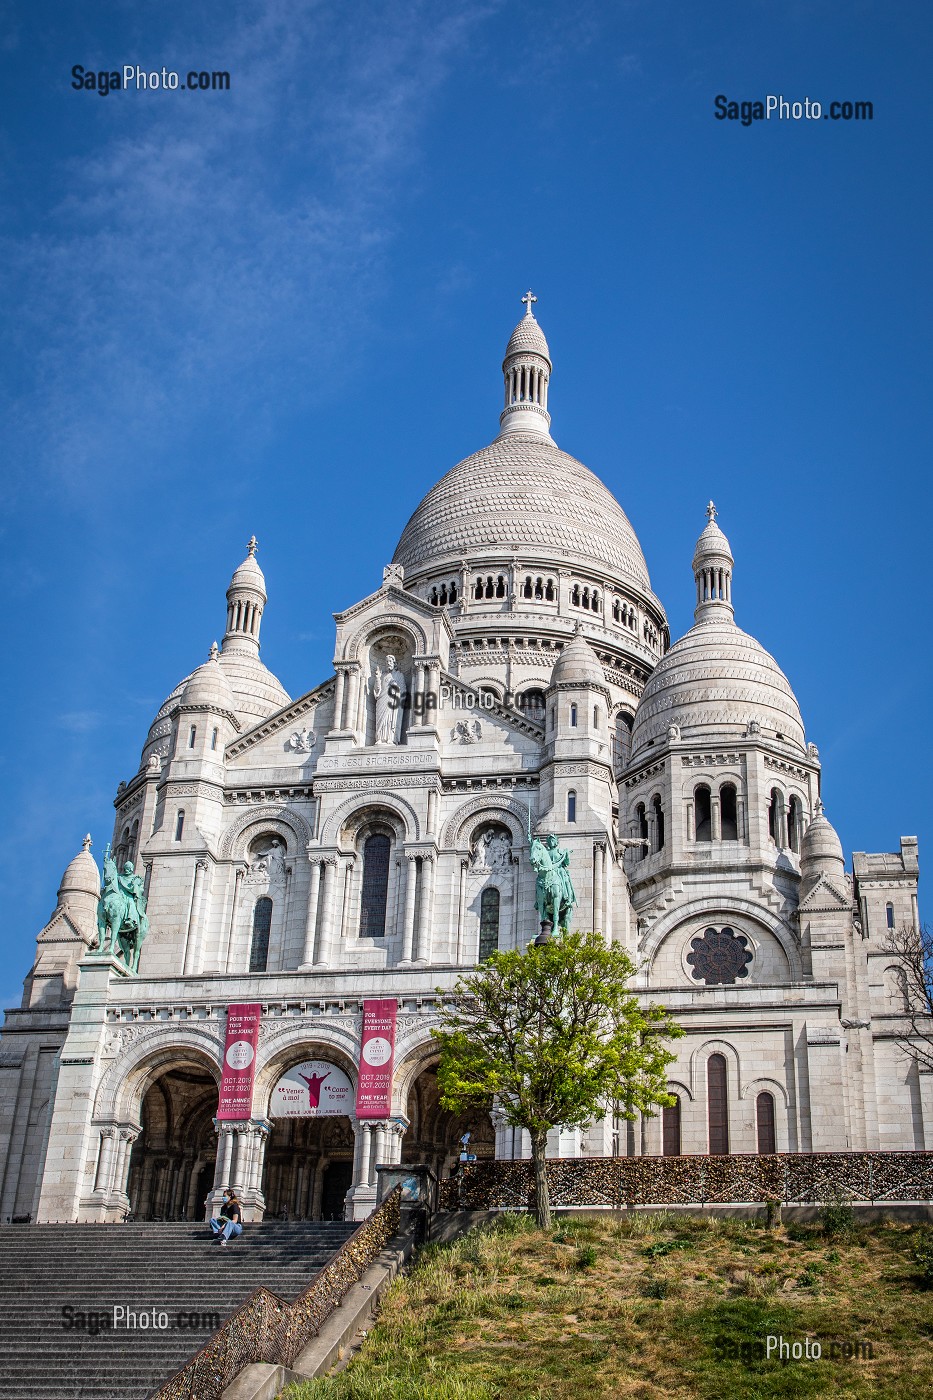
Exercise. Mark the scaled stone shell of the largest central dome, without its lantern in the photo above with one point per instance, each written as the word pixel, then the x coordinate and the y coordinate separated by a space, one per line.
pixel 523 495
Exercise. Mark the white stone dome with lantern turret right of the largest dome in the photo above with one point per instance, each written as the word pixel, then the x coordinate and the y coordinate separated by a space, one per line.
pixel 717 681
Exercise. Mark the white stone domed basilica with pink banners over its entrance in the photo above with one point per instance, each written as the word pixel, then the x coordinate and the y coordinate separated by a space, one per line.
pixel 366 843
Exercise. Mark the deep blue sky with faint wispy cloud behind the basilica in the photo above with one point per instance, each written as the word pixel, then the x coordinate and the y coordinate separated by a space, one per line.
pixel 282 310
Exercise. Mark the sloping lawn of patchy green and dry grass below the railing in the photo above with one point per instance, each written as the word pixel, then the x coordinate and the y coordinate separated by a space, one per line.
pixel 652 1308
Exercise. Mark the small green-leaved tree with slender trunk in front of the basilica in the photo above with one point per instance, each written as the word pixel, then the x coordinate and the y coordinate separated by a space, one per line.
pixel 557 1038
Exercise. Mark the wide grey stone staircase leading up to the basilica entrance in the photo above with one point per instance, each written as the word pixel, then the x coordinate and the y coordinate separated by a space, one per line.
pixel 142 1268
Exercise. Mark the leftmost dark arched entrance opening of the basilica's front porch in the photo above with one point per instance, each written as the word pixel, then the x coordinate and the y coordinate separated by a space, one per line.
pixel 172 1165
